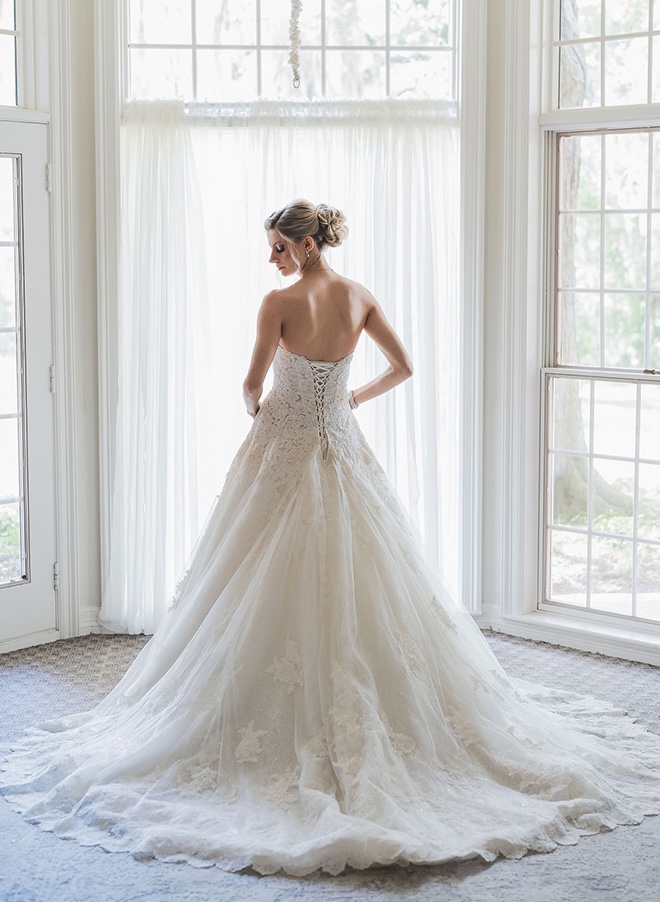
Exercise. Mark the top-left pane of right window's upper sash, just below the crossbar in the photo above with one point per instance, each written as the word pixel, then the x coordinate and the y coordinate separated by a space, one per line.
pixel 580 176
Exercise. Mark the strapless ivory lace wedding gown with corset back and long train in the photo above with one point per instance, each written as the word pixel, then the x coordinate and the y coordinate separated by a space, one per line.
pixel 315 700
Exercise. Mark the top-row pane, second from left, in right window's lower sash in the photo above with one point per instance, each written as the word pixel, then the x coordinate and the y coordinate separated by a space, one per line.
pixel 614 418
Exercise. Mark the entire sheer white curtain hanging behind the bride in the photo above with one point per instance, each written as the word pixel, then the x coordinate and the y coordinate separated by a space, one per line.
pixel 393 168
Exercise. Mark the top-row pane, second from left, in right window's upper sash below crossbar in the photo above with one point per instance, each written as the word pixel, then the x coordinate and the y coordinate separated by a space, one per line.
pixel 626 173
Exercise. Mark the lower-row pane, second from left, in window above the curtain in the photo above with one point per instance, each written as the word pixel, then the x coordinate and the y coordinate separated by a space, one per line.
pixel 226 74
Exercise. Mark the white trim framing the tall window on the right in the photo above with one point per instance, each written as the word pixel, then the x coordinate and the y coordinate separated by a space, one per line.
pixel 512 565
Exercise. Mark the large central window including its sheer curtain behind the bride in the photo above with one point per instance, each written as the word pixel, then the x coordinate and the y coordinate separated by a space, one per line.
pixel 372 129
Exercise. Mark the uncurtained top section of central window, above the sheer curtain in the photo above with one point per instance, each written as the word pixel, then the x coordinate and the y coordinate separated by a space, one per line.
pixel 238 50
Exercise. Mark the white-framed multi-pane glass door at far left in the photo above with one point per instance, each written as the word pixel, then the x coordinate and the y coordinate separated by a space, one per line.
pixel 28 566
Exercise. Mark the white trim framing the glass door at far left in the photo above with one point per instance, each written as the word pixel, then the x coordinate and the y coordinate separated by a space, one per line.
pixel 44 73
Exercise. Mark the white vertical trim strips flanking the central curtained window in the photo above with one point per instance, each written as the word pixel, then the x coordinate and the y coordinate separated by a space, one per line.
pixel 110 82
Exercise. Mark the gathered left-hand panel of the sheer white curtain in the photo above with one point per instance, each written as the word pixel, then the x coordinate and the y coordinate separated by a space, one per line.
pixel 163 369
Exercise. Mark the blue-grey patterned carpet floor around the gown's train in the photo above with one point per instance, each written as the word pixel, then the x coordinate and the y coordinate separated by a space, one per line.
pixel 71 675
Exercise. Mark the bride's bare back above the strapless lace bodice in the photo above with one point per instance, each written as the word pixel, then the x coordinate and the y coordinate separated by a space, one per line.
pixel 323 316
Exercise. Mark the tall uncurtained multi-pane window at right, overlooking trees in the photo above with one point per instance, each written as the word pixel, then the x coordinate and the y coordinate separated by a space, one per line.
pixel 602 385
